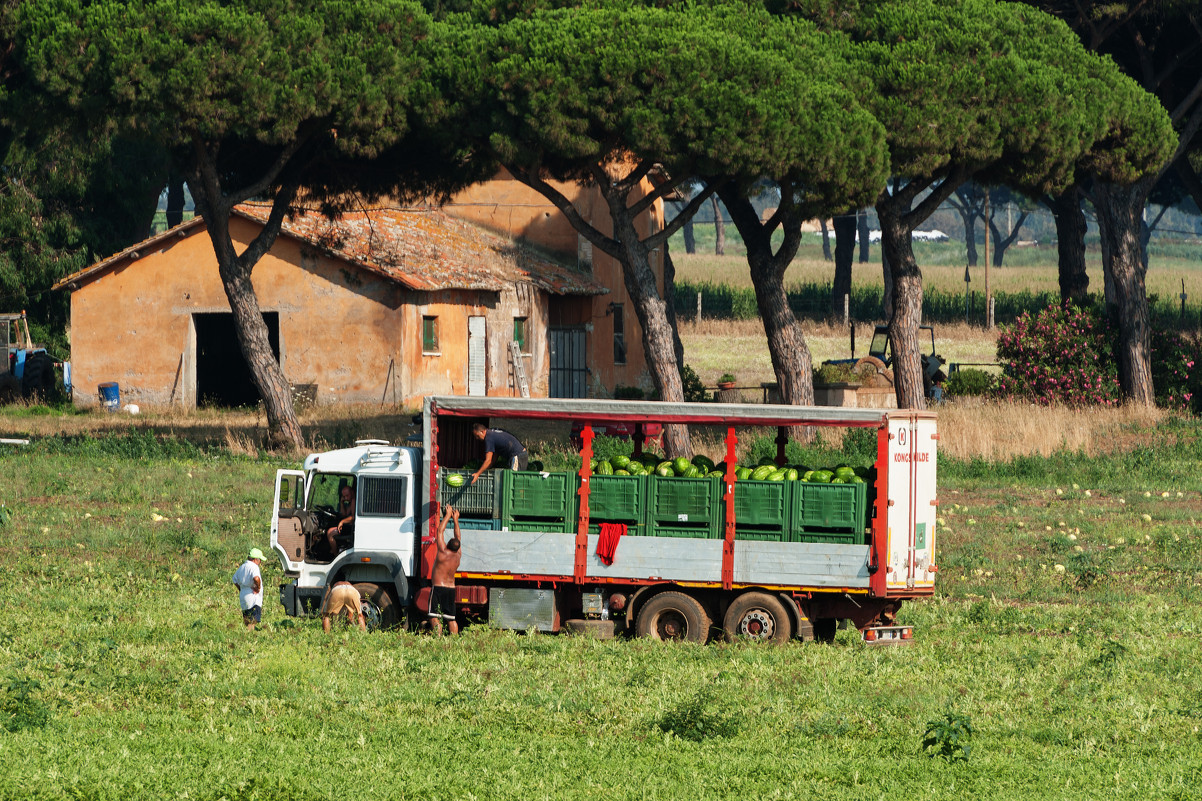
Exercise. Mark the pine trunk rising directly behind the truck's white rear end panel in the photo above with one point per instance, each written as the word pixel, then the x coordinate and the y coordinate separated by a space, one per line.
pixel 906 312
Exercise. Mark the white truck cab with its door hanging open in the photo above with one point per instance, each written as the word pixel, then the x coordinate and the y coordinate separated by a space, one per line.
pixel 377 553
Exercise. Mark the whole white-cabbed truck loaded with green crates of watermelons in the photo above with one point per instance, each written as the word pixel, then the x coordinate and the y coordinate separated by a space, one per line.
pixel 686 559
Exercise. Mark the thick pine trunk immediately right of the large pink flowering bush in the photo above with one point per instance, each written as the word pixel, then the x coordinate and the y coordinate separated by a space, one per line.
pixel 1122 207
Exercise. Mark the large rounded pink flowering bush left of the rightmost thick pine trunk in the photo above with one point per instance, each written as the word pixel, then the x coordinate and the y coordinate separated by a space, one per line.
pixel 1060 355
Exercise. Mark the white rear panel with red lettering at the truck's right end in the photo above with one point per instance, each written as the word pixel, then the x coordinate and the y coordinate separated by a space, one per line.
pixel 912 512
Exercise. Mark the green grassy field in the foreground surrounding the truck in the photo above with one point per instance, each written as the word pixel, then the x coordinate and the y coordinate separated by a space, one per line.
pixel 126 673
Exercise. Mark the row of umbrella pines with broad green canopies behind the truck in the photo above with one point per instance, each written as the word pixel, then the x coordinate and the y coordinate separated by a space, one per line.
pixel 894 105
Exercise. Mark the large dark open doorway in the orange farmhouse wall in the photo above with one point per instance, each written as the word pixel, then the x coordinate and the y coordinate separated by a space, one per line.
pixel 223 378
